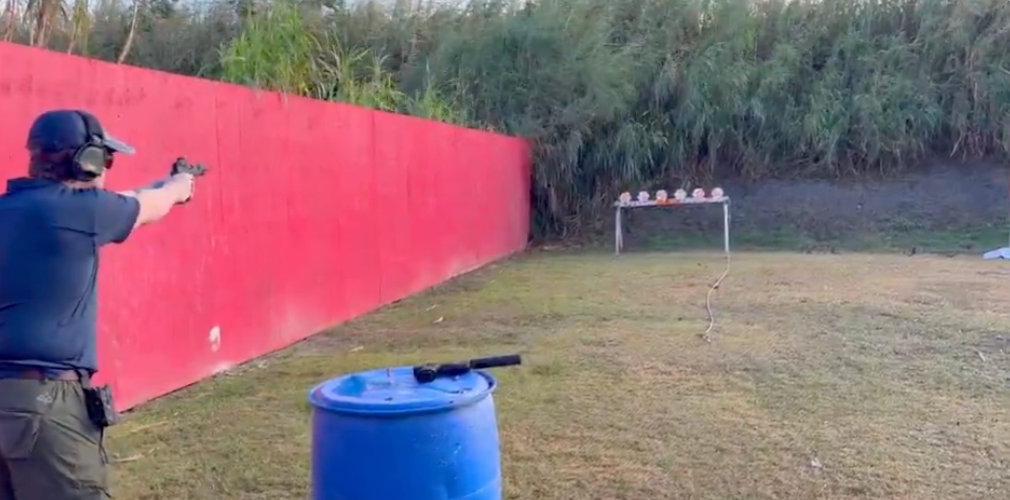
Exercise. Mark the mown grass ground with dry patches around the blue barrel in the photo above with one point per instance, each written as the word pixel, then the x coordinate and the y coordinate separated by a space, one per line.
pixel 828 377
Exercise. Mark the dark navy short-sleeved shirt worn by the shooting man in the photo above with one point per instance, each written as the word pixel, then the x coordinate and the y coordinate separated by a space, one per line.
pixel 50 236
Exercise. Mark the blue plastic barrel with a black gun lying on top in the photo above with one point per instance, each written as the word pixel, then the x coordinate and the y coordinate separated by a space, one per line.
pixel 381 436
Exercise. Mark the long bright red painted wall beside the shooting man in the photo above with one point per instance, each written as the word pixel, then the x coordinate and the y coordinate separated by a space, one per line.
pixel 314 214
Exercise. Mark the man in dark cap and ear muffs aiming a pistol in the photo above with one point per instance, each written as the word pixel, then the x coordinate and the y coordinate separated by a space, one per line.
pixel 53 224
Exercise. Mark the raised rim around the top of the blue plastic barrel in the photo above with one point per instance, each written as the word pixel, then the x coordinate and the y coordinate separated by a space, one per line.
pixel 373 410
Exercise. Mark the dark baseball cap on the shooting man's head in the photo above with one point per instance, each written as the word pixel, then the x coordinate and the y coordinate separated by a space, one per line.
pixel 69 130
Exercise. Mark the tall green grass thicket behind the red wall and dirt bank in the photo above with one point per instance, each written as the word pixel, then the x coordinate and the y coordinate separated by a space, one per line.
pixel 616 94
